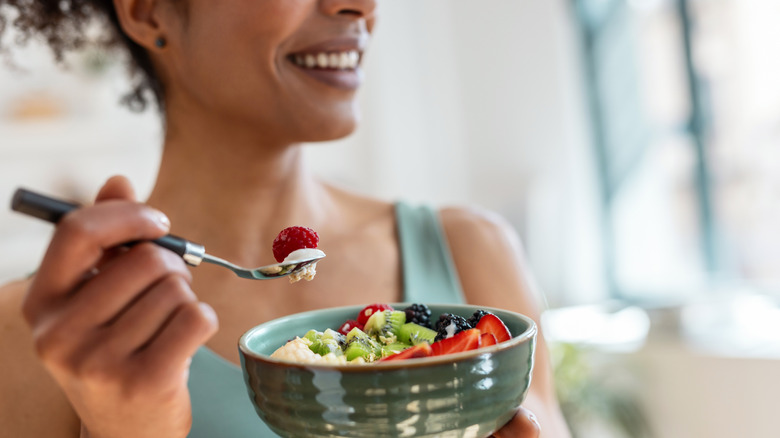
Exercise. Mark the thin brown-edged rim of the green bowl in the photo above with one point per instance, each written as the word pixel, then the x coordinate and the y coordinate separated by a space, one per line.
pixel 528 335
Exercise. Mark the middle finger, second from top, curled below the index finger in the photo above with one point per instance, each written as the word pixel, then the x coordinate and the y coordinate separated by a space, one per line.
pixel 121 281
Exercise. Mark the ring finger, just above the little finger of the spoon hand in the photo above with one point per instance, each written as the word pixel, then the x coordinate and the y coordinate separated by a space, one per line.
pixel 137 326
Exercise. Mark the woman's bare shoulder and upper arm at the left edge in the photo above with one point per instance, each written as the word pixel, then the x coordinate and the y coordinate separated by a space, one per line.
pixel 31 404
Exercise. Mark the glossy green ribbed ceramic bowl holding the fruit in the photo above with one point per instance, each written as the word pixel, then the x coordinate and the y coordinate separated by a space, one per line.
pixel 469 394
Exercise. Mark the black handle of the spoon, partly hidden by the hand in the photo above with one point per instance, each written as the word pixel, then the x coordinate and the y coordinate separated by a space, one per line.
pixel 52 210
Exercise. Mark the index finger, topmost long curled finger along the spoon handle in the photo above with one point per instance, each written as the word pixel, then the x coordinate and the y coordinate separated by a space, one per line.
pixel 80 240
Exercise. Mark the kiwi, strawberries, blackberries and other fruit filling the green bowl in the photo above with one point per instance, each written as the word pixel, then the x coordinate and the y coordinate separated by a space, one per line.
pixel 380 333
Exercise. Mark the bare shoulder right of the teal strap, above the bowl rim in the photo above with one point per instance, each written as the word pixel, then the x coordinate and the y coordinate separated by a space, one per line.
pixel 481 238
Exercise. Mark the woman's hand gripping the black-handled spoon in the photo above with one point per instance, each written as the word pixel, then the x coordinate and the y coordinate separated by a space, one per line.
pixel 113 328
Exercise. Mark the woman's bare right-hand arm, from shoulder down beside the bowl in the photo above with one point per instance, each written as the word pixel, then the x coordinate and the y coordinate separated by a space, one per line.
pixel 479 238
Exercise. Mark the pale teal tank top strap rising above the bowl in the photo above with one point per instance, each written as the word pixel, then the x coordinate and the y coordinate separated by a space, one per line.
pixel 429 274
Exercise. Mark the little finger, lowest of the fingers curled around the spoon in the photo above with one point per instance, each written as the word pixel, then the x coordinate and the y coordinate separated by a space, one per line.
pixel 168 354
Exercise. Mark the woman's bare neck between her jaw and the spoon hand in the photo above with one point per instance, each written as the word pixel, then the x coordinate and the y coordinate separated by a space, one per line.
pixel 233 191
